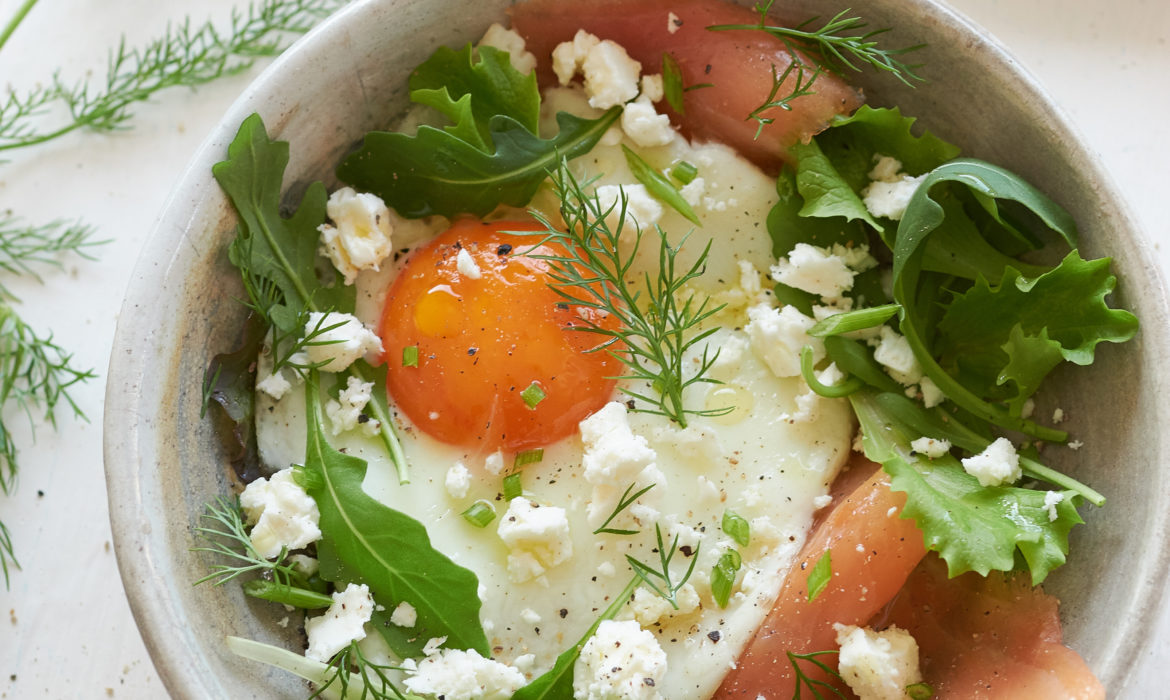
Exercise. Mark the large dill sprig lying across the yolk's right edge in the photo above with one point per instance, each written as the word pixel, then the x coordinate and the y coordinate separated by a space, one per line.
pixel 657 327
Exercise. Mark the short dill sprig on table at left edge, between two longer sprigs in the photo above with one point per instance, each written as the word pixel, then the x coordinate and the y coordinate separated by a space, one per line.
pixel 24 245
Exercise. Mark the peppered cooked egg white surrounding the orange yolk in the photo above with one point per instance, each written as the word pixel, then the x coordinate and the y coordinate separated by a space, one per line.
pixel 761 461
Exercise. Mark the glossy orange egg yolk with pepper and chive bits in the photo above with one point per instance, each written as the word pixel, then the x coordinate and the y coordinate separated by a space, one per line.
pixel 491 340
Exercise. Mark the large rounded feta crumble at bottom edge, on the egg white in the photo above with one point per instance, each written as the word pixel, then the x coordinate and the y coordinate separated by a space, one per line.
pixel 621 661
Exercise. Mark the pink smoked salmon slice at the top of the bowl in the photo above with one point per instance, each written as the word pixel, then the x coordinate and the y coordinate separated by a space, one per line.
pixel 737 65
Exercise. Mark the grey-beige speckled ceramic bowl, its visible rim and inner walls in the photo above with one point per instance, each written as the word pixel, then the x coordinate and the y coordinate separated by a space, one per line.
pixel 163 462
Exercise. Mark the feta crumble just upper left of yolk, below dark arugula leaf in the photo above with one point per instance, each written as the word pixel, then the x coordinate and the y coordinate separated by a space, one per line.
pixel 360 237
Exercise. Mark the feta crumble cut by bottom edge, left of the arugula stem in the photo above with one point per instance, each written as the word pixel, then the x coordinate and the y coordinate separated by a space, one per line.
pixel 458 675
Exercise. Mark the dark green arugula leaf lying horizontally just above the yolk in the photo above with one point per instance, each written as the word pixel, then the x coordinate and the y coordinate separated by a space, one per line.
pixel 437 174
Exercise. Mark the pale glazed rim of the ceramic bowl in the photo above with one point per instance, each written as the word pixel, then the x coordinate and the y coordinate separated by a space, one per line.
pixel 133 513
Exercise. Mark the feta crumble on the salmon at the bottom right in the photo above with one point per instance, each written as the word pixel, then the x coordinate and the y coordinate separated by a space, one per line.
pixel 878 665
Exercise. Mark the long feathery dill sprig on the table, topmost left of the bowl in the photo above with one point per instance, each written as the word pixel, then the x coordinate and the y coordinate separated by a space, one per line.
pixel 185 56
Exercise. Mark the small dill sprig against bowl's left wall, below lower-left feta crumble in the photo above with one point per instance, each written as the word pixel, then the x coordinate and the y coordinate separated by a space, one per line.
pixel 226 537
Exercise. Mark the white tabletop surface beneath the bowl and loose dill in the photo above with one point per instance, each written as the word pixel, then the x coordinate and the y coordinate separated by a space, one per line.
pixel 66 630
